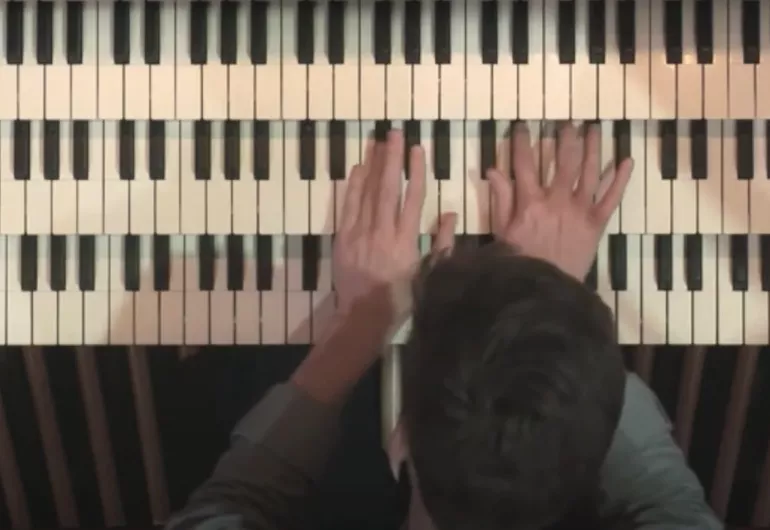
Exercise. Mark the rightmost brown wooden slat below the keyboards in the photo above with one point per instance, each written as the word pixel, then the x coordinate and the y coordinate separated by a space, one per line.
pixel 732 434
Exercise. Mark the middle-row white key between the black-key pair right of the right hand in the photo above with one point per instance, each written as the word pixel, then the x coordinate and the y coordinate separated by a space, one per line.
pixel 684 189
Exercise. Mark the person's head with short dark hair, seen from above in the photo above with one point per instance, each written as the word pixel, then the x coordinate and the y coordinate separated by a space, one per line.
pixel 513 385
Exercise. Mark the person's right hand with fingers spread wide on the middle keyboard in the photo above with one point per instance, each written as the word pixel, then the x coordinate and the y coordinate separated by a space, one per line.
pixel 563 222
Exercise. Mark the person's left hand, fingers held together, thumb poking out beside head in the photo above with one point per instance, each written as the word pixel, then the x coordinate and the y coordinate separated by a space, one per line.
pixel 375 249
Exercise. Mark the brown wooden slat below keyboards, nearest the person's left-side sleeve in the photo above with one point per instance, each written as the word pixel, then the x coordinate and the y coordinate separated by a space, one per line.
pixel 148 433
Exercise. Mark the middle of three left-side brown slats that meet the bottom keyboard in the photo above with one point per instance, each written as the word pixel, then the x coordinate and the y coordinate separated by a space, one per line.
pixel 99 436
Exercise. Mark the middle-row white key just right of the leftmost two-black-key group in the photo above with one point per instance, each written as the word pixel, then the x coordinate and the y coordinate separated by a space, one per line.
pixel 167 190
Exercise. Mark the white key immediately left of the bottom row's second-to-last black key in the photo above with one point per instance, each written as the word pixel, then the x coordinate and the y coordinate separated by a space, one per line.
pixel 730 316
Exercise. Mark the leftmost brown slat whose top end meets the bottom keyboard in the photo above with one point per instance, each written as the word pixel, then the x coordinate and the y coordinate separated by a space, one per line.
pixel 58 473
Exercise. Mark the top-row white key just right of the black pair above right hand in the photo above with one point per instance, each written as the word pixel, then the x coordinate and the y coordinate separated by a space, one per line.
pixel 531 87
